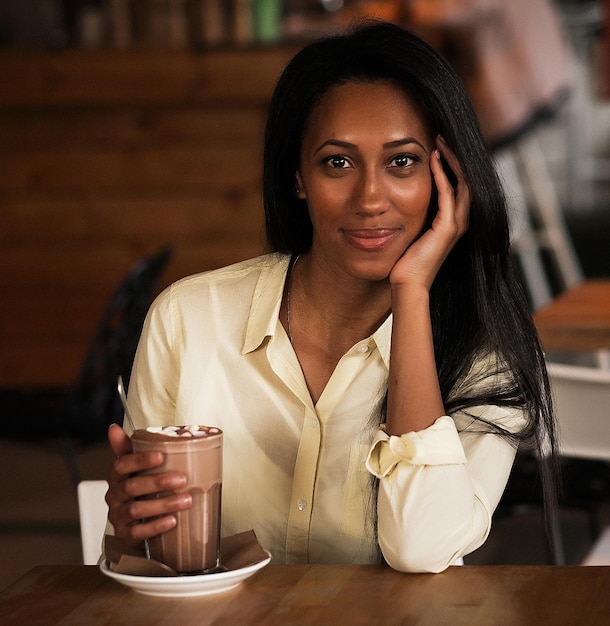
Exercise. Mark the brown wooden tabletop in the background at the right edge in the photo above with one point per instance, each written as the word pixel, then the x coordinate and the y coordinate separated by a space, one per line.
pixel 578 319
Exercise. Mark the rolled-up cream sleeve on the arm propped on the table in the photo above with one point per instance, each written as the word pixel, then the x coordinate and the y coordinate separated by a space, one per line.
pixel 439 487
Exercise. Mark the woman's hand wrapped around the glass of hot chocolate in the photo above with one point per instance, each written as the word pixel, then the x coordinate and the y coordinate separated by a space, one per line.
pixel 126 510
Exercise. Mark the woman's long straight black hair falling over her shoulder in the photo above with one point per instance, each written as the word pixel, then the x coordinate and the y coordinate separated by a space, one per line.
pixel 477 303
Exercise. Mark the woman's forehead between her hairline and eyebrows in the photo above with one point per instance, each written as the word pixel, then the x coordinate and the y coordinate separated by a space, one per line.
pixel 372 105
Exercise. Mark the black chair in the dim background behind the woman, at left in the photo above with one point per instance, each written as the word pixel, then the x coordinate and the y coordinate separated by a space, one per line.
pixel 83 414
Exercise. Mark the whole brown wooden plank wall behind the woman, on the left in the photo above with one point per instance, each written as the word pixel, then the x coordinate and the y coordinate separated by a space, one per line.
pixel 104 158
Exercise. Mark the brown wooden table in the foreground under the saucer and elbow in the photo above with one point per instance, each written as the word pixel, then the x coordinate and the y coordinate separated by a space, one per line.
pixel 323 594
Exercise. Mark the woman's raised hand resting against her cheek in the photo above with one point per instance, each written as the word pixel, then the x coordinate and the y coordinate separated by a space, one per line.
pixel 422 260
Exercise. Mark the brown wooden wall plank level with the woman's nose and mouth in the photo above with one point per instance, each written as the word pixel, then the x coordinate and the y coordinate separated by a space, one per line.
pixel 88 216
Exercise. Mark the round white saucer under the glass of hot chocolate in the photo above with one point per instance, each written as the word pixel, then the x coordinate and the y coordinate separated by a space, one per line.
pixel 185 586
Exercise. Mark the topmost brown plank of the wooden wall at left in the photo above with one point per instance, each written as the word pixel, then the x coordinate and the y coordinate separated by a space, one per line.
pixel 145 77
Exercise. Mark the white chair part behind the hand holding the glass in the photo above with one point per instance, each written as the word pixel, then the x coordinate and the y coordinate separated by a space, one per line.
pixel 93 513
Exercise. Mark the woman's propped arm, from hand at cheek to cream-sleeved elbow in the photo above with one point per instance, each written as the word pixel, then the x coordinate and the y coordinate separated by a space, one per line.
pixel 437 489
